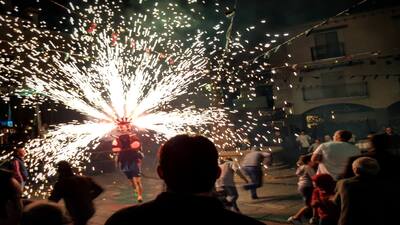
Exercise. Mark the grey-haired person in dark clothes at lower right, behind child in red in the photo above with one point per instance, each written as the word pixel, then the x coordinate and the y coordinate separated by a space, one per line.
pixel 360 198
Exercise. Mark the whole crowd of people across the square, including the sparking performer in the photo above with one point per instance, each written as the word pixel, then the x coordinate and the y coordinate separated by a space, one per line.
pixel 339 184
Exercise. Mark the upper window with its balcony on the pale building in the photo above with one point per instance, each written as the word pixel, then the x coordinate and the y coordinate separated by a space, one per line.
pixel 327 45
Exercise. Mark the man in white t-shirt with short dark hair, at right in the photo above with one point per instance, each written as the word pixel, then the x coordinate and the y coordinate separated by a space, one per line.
pixel 332 157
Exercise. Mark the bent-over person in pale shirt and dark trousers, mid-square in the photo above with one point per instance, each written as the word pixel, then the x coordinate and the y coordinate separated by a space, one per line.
pixel 252 165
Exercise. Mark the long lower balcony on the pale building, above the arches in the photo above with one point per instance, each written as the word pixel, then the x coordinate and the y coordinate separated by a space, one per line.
pixel 351 90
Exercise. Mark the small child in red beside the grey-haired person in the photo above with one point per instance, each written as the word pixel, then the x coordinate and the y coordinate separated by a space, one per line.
pixel 321 201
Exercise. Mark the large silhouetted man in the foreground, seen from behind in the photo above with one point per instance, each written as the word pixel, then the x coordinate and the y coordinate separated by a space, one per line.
pixel 189 167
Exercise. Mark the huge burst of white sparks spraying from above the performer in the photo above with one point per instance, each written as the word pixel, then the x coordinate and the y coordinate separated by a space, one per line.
pixel 115 66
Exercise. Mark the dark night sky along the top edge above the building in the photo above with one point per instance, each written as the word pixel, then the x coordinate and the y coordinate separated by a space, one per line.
pixel 278 13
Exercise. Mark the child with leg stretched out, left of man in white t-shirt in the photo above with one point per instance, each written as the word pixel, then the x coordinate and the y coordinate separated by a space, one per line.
pixel 304 171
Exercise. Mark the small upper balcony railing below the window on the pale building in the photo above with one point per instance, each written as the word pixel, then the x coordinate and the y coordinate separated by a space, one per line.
pixel 327 51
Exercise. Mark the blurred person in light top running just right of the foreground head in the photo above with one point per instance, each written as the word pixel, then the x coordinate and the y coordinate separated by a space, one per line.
pixel 226 183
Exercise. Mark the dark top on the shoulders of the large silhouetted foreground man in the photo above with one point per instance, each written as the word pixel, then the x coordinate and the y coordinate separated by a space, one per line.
pixel 173 208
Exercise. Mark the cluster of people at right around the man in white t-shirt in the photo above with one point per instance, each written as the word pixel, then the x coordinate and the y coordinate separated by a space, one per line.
pixel 343 185
